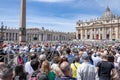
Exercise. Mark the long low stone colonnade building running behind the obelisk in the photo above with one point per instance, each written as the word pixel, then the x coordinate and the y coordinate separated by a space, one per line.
pixel 36 35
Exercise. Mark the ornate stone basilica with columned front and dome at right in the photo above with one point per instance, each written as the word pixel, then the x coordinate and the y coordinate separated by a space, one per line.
pixel 105 27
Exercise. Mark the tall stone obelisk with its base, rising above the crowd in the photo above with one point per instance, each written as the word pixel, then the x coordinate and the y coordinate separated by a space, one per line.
pixel 22 30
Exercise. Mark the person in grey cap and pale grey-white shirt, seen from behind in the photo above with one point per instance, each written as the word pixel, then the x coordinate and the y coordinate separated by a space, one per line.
pixel 86 71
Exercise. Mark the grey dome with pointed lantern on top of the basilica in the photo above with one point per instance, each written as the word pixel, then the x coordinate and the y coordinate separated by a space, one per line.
pixel 108 14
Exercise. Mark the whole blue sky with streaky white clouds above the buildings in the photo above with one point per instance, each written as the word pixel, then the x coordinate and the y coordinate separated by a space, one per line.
pixel 57 15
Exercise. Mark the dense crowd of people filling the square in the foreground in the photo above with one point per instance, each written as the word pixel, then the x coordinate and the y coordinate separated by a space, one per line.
pixel 60 61
